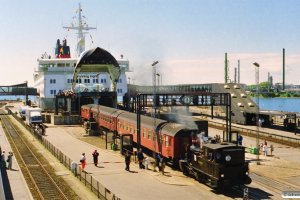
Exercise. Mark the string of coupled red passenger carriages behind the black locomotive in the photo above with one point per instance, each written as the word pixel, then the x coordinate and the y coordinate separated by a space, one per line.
pixel 170 139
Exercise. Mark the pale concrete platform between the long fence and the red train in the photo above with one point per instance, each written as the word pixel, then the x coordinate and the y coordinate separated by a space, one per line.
pixel 137 184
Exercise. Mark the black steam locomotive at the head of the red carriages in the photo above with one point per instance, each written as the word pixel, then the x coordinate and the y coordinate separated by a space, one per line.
pixel 219 165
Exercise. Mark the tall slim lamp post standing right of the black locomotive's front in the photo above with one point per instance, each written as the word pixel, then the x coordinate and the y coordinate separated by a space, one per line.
pixel 256 65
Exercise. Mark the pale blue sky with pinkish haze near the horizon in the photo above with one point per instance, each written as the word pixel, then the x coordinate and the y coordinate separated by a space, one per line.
pixel 188 38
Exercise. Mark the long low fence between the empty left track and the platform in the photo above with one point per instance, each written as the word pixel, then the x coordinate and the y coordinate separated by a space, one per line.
pixel 88 180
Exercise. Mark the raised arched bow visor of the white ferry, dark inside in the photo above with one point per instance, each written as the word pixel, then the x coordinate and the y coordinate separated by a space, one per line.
pixel 97 60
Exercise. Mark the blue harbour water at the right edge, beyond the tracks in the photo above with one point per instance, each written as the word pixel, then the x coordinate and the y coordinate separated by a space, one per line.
pixel 280 104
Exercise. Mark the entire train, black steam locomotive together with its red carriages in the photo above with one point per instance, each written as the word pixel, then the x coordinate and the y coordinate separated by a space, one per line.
pixel 217 164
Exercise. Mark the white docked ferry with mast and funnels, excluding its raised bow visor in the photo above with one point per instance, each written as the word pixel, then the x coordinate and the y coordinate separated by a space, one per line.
pixel 54 74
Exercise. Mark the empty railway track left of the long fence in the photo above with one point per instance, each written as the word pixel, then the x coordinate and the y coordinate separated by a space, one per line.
pixel 39 180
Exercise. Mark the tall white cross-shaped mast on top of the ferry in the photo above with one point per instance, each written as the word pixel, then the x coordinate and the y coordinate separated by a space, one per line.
pixel 81 26
